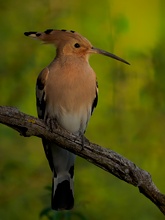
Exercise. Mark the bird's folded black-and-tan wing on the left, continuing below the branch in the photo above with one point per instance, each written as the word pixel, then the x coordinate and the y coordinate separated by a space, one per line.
pixel 41 106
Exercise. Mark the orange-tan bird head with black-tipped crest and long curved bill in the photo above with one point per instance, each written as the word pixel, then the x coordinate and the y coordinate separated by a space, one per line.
pixel 70 43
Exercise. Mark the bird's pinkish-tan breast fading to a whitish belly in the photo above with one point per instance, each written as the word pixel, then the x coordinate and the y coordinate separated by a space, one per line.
pixel 70 91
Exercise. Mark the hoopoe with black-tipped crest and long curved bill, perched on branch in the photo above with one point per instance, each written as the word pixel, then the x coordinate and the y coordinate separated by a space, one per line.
pixel 66 93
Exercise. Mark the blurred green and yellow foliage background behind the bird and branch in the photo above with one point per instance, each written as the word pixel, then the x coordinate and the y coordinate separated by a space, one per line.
pixel 130 117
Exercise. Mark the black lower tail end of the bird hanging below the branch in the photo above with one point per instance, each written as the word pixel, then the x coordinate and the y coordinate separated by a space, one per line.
pixel 62 193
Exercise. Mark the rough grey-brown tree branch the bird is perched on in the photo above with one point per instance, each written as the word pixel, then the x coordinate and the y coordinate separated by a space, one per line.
pixel 104 158
